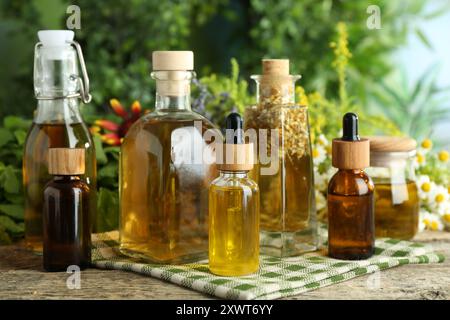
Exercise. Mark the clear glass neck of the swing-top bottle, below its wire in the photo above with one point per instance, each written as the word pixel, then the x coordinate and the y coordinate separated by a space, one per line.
pixel 58 111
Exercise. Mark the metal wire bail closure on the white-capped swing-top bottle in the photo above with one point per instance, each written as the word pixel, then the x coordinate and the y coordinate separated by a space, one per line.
pixel 83 82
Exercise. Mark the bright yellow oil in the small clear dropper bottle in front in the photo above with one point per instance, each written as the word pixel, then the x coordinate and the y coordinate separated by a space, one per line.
pixel 233 227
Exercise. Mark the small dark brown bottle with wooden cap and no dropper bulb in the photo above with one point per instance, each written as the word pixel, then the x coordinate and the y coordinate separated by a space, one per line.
pixel 67 227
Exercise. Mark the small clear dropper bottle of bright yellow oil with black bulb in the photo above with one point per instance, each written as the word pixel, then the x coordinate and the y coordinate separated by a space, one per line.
pixel 234 207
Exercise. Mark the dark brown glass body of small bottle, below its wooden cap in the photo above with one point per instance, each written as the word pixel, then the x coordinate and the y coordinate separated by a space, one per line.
pixel 67 225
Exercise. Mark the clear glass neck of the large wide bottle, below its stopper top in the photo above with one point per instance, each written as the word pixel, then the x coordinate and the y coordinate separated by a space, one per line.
pixel 173 90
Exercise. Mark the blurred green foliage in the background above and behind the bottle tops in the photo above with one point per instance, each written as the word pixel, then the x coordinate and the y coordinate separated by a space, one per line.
pixel 118 38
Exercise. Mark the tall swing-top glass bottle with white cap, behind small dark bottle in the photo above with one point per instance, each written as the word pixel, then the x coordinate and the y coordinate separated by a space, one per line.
pixel 57 123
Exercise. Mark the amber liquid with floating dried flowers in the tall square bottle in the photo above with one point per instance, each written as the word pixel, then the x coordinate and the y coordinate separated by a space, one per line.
pixel 288 217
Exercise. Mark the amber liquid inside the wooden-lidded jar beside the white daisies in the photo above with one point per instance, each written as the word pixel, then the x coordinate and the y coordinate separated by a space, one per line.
pixel 396 209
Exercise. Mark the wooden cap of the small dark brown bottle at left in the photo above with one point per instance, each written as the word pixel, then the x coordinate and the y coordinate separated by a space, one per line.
pixel 65 161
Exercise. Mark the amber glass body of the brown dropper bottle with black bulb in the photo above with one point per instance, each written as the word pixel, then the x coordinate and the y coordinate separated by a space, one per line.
pixel 351 234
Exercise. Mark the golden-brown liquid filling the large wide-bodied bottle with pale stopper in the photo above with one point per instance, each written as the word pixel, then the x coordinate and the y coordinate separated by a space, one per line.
pixel 164 204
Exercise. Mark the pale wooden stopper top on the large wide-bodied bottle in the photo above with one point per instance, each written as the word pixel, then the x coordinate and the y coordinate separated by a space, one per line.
pixel 173 60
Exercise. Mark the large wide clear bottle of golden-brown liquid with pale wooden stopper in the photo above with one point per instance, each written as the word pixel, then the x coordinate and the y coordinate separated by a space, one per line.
pixel 167 164
